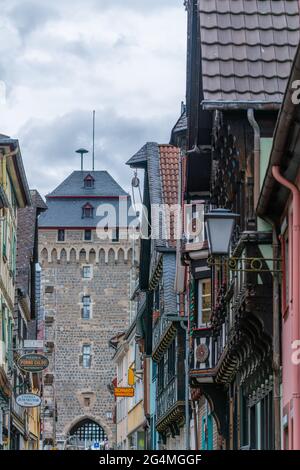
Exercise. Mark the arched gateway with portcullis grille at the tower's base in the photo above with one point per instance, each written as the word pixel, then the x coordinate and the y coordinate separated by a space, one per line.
pixel 88 434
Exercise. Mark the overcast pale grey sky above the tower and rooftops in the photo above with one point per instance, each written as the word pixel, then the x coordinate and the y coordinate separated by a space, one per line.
pixel 60 59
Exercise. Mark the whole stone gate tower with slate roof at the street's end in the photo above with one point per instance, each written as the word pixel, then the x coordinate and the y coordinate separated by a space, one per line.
pixel 85 288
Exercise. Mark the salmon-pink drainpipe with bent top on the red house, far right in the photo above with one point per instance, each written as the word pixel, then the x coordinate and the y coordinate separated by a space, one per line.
pixel 295 311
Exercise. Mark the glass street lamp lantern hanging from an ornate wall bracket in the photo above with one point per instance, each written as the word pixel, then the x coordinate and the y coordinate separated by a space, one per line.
pixel 219 225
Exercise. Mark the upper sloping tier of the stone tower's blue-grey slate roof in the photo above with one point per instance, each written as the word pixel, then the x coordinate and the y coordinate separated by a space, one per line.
pixel 73 185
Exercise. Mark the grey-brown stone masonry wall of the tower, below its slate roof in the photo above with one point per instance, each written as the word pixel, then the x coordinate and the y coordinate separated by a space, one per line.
pixel 63 287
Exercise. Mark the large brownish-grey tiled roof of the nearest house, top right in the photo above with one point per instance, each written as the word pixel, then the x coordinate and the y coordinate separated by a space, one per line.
pixel 247 48
